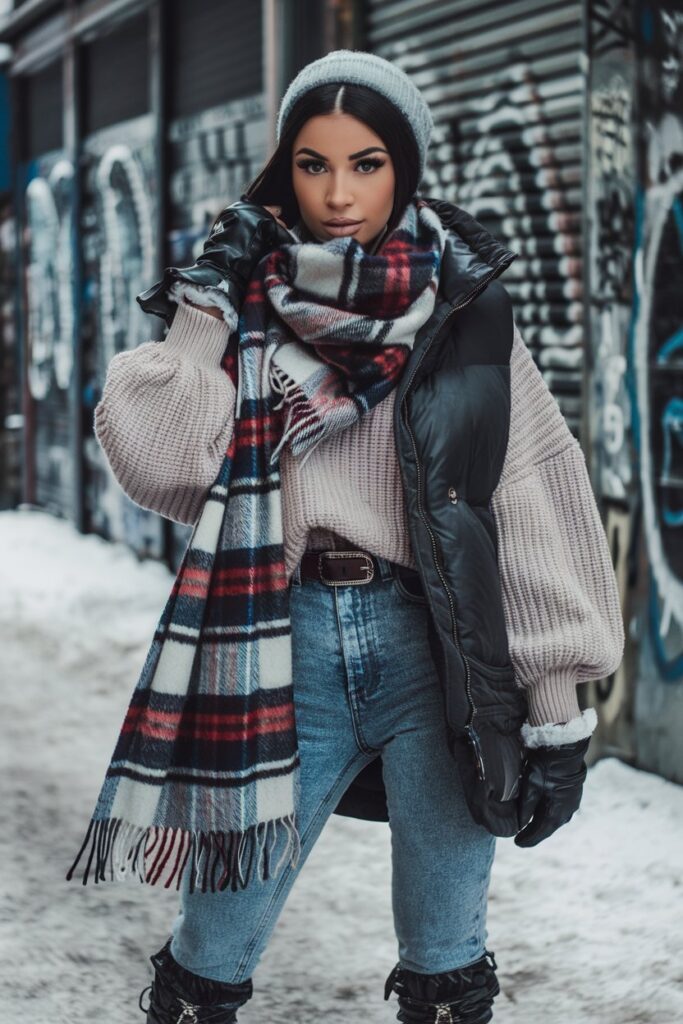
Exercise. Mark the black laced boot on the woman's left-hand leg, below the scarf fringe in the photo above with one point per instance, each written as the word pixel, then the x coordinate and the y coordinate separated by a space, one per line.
pixel 179 997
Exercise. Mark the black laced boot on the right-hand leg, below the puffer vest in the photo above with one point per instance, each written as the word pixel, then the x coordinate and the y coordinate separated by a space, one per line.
pixel 461 997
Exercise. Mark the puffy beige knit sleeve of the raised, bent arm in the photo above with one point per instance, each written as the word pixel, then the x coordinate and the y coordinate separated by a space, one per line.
pixel 166 415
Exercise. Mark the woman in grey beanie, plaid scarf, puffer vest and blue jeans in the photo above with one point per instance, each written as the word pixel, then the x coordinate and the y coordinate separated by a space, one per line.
pixel 398 574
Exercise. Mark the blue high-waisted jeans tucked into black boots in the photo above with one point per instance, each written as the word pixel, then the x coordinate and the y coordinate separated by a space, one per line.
pixel 365 684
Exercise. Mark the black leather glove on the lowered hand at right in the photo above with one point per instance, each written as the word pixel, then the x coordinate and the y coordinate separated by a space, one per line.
pixel 550 789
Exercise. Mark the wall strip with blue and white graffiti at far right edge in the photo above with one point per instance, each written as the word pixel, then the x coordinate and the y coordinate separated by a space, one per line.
pixel 658 364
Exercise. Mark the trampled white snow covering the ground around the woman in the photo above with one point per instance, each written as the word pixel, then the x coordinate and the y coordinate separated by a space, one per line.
pixel 586 927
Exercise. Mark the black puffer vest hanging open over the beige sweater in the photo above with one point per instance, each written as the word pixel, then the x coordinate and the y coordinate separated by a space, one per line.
pixel 452 425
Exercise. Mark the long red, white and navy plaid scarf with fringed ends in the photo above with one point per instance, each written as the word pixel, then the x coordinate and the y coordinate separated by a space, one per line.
pixel 205 775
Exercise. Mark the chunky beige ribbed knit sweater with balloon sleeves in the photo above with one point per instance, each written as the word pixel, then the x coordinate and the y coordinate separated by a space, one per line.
pixel 165 420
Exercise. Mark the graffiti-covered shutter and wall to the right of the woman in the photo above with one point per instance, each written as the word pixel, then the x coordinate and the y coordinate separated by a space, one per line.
pixel 561 129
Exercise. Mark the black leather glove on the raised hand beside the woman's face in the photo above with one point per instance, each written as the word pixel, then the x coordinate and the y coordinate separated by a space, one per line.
pixel 241 236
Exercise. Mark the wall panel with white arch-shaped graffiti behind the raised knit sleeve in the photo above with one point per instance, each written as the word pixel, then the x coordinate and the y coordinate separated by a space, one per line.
pixel 118 252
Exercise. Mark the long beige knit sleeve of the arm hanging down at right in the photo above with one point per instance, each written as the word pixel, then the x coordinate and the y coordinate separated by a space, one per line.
pixel 561 594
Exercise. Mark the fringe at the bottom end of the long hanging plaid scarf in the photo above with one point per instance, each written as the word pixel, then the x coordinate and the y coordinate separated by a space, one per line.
pixel 156 855
